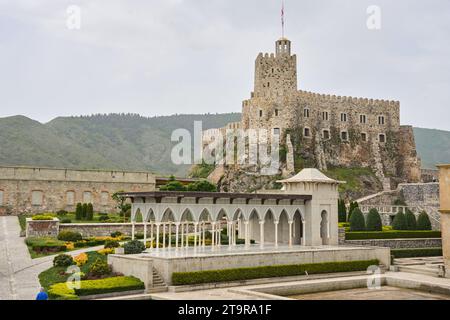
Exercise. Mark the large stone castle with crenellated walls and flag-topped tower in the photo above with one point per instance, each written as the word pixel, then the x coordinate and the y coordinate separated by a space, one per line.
pixel 324 131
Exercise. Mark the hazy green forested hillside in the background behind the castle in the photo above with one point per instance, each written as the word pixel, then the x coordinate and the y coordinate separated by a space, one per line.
pixel 132 142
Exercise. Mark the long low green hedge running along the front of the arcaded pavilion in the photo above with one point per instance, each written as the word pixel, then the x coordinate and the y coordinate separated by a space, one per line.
pixel 238 274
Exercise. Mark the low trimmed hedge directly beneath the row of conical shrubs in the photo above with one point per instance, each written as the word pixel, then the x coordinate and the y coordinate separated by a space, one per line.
pixel 394 234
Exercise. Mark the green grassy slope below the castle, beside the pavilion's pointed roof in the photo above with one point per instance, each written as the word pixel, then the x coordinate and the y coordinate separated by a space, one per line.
pixel 351 176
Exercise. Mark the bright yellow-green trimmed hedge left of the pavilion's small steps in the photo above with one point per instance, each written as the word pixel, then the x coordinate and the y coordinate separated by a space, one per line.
pixel 60 291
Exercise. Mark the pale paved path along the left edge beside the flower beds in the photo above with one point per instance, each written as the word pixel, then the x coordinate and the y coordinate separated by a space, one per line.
pixel 18 272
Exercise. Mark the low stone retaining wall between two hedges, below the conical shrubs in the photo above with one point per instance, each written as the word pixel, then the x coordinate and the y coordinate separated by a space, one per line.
pixel 397 243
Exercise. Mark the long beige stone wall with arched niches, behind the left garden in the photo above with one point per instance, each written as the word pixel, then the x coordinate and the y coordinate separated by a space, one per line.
pixel 37 190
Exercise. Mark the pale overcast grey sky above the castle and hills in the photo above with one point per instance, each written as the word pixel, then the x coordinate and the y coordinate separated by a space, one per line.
pixel 161 57
